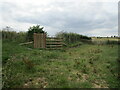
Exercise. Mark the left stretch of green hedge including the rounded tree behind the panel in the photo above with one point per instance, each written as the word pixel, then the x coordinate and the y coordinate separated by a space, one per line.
pixel 21 36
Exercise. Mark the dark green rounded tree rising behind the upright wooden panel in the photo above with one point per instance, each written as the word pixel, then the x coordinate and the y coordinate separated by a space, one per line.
pixel 34 29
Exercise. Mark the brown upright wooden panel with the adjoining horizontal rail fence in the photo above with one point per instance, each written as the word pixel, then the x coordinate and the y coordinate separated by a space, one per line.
pixel 41 41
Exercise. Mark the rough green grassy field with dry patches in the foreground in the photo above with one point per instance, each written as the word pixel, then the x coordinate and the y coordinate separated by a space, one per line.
pixel 86 66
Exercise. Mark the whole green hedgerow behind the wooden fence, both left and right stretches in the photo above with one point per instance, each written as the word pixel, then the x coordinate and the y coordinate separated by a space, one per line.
pixel 28 36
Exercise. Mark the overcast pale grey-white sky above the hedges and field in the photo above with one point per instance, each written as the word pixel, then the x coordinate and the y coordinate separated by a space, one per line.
pixel 87 17
